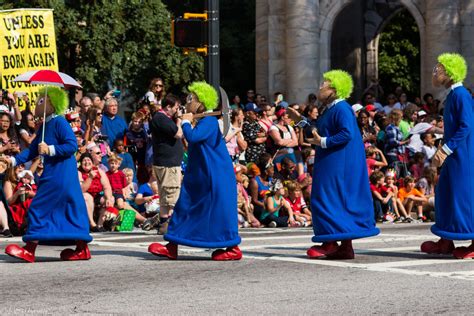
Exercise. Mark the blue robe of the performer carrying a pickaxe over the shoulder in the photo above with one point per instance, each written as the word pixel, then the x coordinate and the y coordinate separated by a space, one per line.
pixel 205 214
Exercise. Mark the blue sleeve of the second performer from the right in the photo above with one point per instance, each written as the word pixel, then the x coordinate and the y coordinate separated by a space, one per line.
pixel 344 122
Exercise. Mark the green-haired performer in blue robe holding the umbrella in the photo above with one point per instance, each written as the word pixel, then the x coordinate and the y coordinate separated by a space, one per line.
pixel 58 211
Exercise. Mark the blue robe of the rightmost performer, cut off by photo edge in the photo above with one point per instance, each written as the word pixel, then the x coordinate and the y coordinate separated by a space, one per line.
pixel 454 204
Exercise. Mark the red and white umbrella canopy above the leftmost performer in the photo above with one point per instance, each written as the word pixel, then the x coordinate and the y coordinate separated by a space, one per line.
pixel 48 77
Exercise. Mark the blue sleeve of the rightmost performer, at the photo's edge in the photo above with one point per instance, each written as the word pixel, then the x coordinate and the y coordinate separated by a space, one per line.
pixel 463 107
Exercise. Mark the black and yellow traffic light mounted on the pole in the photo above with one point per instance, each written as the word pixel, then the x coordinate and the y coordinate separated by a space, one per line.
pixel 190 32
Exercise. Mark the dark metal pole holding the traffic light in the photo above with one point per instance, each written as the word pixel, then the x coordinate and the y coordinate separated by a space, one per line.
pixel 212 59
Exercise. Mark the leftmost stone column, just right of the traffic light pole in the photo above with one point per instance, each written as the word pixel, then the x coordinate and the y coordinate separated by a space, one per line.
pixel 270 47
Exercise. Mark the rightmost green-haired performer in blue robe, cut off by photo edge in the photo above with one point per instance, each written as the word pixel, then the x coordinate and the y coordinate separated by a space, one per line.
pixel 454 203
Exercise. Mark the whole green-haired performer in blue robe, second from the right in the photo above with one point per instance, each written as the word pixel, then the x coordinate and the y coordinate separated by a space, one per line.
pixel 341 201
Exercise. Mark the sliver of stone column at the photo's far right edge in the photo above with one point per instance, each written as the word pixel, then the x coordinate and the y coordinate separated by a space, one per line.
pixel 467 39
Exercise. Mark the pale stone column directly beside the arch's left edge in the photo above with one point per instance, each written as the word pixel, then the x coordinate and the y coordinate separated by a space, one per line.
pixel 302 53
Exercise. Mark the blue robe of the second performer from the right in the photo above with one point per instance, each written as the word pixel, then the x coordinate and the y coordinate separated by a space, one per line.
pixel 341 201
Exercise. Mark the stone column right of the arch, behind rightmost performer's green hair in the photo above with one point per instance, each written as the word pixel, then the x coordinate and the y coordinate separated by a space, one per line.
pixel 442 34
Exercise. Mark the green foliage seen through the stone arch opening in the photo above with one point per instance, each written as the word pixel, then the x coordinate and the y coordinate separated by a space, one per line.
pixel 399 54
